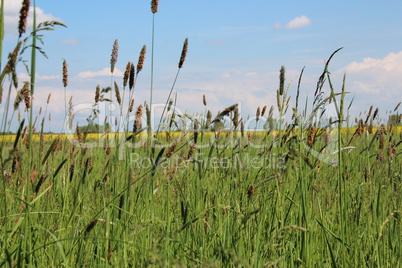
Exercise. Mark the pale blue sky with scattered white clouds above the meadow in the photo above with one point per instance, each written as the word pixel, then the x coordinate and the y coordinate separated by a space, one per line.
pixel 236 49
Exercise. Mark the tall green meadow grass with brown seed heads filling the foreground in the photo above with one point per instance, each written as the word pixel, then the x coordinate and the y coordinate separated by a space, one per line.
pixel 311 193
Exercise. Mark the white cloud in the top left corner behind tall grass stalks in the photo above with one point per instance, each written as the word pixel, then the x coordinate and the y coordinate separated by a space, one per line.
pixel 11 16
